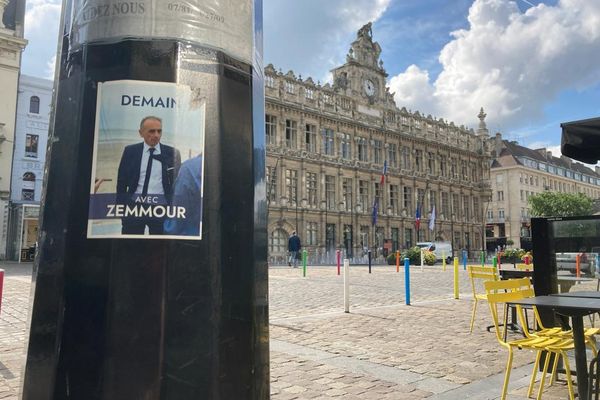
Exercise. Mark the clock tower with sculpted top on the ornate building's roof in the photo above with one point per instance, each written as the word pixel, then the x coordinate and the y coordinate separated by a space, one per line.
pixel 363 75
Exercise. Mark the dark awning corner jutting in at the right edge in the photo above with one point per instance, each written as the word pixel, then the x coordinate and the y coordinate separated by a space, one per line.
pixel 581 140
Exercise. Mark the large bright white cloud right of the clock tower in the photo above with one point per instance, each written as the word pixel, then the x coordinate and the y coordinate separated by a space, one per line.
pixel 511 63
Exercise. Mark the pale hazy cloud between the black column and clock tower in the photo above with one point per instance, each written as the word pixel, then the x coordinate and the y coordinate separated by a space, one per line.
pixel 319 35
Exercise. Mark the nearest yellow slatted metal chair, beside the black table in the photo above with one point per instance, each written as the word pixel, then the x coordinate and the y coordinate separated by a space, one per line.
pixel 500 292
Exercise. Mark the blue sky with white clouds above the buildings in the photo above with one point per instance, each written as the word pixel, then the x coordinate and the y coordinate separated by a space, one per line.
pixel 531 64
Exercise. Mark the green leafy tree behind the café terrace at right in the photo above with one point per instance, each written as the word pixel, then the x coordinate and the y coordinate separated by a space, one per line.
pixel 552 204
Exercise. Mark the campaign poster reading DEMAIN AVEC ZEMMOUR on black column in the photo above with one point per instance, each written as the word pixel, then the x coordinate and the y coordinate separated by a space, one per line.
pixel 147 168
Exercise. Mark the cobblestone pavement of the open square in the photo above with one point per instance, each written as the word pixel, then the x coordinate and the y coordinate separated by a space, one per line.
pixel 382 349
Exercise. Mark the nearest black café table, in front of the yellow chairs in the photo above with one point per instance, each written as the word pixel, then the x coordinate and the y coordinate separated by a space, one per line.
pixel 576 308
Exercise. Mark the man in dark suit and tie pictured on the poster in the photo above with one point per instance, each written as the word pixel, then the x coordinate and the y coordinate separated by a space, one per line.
pixel 145 179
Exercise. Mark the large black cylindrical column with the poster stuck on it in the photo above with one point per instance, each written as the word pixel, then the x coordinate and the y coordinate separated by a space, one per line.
pixel 128 306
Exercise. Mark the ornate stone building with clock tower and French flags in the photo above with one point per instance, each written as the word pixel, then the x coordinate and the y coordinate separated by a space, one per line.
pixel 326 148
